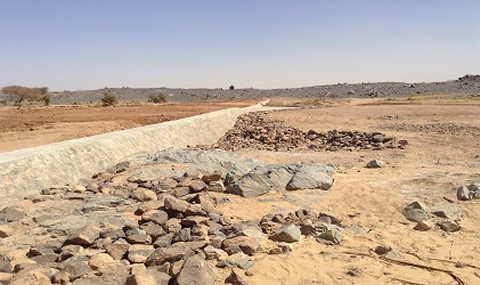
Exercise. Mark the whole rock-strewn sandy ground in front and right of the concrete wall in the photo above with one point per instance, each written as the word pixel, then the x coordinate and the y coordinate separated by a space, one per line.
pixel 373 202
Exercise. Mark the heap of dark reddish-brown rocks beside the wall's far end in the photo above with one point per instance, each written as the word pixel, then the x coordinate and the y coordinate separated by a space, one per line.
pixel 253 131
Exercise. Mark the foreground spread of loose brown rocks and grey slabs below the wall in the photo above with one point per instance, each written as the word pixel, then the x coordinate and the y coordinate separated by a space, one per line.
pixel 131 226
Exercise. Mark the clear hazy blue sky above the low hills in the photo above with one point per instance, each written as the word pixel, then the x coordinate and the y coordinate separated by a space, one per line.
pixel 90 44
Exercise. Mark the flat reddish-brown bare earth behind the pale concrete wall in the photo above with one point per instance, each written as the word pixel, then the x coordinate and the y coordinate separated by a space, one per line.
pixel 34 126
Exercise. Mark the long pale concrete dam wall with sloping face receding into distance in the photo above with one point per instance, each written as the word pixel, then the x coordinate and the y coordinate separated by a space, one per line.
pixel 27 171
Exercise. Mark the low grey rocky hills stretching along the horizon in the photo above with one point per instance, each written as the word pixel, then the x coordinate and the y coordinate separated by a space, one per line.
pixel 468 85
